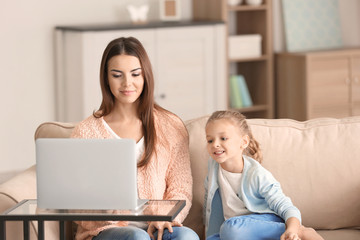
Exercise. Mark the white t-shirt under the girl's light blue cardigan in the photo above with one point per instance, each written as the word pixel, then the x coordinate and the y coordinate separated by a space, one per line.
pixel 229 185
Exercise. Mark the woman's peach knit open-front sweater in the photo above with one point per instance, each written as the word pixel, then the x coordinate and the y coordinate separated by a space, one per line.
pixel 167 176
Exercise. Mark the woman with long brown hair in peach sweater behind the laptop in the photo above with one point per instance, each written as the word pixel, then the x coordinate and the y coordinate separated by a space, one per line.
pixel 128 110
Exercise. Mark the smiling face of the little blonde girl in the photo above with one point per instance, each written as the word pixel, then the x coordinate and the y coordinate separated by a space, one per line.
pixel 225 142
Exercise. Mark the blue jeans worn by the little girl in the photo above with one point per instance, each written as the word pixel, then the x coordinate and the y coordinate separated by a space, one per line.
pixel 253 226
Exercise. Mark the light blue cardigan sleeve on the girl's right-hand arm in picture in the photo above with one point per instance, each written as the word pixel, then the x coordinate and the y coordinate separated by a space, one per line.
pixel 270 189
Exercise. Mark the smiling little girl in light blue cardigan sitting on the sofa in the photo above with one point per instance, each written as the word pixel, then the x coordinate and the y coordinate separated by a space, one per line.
pixel 242 199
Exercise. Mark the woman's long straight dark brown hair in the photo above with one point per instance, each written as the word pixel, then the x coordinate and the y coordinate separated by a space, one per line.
pixel 131 46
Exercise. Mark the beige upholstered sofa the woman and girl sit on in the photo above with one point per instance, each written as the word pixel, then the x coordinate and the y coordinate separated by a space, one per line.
pixel 317 163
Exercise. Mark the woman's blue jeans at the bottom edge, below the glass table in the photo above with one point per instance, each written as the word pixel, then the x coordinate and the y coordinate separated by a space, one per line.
pixel 130 233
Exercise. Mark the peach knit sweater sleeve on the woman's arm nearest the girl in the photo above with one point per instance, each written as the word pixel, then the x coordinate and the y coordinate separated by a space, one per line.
pixel 179 179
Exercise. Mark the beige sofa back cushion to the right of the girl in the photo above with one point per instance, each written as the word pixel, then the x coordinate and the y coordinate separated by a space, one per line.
pixel 317 162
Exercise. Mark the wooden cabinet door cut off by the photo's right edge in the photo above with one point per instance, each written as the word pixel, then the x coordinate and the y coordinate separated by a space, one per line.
pixel 355 86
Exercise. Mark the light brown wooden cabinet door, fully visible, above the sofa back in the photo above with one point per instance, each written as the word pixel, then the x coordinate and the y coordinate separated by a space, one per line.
pixel 328 87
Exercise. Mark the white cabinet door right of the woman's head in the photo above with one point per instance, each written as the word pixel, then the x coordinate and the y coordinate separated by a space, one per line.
pixel 185 71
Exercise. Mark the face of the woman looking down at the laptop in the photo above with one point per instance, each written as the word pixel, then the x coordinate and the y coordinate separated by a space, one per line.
pixel 125 78
